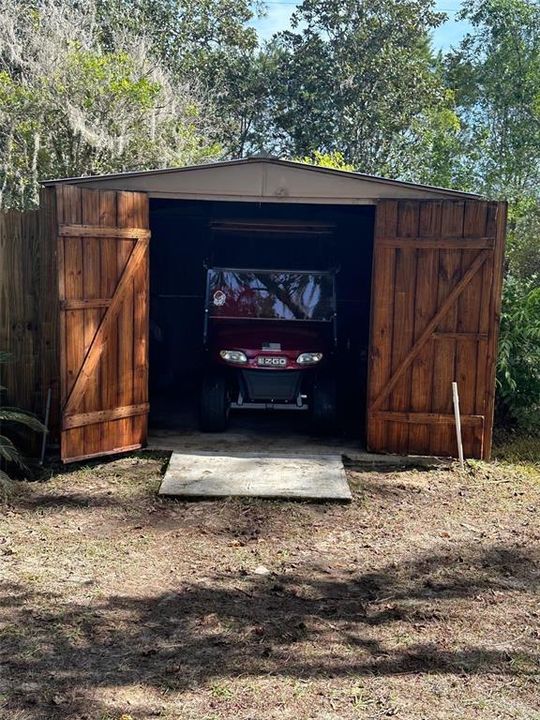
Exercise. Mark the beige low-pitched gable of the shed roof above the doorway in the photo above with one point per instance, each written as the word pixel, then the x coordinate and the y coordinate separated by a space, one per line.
pixel 259 179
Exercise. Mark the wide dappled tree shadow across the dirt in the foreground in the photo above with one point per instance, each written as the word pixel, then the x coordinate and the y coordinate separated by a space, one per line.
pixel 54 654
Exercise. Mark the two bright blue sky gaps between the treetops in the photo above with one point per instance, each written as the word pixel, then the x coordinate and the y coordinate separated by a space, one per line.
pixel 448 35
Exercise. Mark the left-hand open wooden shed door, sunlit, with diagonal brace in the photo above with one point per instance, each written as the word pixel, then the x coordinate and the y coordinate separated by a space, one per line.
pixel 103 291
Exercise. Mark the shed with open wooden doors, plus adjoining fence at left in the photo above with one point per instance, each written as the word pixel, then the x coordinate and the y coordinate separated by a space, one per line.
pixel 102 296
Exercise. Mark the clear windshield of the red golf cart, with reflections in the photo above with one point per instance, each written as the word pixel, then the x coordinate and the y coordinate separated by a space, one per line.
pixel 270 295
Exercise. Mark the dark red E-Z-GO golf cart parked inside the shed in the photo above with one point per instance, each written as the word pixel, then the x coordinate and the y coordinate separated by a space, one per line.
pixel 269 337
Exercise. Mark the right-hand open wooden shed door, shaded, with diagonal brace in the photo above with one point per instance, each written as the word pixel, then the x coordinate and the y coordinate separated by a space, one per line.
pixel 435 312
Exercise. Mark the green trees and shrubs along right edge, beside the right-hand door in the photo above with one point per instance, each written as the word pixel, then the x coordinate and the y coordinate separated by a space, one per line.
pixel 495 75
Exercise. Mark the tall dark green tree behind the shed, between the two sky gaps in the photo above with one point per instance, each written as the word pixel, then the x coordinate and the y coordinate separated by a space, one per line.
pixel 353 77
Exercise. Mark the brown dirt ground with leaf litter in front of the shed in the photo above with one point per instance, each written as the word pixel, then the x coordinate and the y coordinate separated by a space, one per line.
pixel 417 600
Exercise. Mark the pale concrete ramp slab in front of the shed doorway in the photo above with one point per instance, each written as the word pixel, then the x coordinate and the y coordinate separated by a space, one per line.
pixel 311 477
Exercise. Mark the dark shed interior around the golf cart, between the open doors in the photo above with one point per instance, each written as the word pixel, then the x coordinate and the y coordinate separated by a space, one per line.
pixel 186 235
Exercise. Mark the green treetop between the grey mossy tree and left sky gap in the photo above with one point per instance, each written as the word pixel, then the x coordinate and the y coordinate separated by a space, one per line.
pixel 207 40
